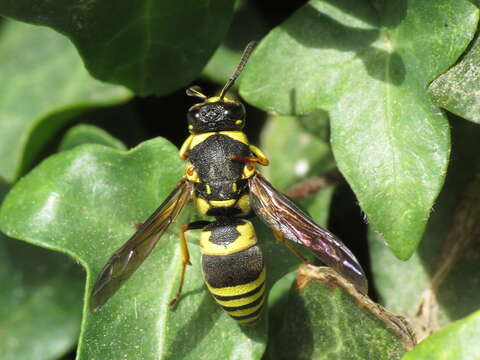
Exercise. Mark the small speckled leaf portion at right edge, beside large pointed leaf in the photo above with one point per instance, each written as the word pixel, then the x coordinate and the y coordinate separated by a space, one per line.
pixel 458 89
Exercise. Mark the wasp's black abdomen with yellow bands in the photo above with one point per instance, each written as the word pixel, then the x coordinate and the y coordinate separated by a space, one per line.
pixel 233 267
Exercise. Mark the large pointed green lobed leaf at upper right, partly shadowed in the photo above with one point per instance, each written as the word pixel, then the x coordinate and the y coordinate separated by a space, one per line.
pixel 368 67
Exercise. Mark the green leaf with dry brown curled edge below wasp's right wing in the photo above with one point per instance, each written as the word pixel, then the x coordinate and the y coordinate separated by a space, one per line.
pixel 327 319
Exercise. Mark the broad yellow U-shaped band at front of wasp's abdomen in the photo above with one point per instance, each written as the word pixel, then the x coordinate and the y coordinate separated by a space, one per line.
pixel 246 240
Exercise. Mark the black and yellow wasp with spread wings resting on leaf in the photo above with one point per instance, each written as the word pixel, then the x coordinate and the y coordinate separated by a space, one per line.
pixel 222 180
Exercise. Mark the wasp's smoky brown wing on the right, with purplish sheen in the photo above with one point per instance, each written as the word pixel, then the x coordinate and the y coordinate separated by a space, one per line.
pixel 281 214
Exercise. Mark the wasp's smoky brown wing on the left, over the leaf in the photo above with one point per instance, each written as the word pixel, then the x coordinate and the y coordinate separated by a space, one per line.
pixel 130 256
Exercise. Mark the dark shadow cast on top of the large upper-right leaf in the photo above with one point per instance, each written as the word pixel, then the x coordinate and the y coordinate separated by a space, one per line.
pixel 318 30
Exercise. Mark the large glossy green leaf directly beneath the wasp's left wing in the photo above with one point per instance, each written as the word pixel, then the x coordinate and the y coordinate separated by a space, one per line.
pixel 85 202
